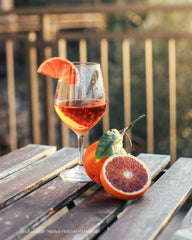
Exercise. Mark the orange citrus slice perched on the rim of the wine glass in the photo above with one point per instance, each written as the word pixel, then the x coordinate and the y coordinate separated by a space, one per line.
pixel 60 68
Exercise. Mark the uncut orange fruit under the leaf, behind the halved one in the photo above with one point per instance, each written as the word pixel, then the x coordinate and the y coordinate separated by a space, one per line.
pixel 92 167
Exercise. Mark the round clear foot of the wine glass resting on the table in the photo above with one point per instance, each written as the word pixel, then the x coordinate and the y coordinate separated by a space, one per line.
pixel 75 174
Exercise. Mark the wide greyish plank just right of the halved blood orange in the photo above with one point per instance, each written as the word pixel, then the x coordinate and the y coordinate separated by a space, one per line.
pixel 149 215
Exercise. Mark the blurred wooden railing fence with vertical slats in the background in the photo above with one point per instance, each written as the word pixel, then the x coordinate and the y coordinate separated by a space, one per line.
pixel 40 43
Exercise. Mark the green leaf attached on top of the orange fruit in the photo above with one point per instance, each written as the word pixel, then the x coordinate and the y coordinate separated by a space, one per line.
pixel 110 143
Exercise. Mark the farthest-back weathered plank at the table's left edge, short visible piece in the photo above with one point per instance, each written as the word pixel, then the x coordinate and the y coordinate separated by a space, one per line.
pixel 15 161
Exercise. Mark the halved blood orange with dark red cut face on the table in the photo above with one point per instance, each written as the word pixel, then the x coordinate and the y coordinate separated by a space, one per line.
pixel 125 176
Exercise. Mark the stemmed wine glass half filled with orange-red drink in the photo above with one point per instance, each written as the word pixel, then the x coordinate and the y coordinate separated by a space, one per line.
pixel 80 106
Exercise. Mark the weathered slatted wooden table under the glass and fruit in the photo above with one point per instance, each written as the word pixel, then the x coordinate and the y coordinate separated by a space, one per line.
pixel 36 204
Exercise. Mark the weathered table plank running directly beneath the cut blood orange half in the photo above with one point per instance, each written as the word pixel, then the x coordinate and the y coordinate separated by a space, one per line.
pixel 97 211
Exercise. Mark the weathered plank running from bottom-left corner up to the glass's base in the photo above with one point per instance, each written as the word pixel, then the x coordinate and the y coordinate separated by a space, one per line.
pixel 21 217
